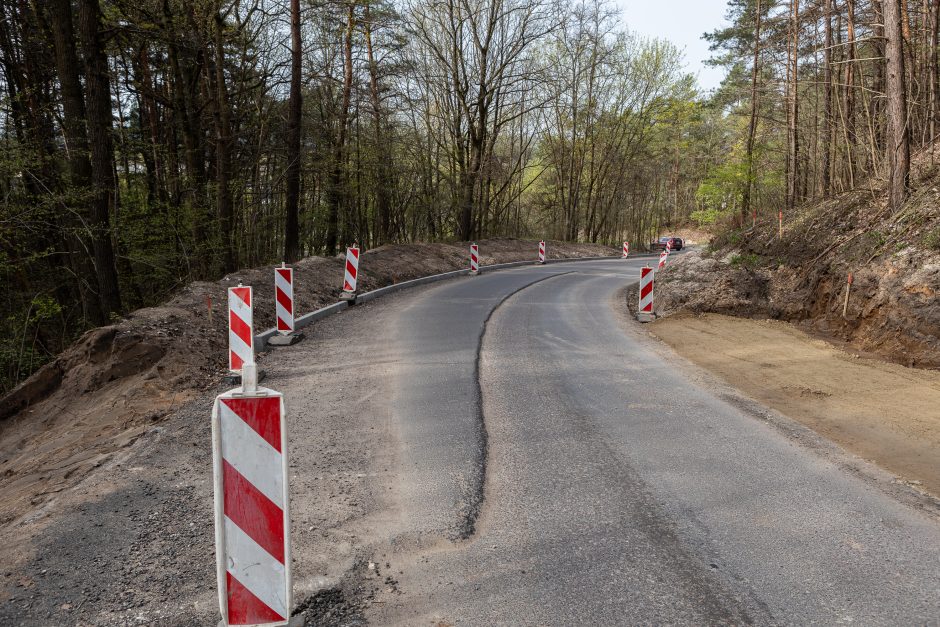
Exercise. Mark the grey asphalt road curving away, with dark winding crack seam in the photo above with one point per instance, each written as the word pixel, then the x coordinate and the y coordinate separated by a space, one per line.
pixel 558 471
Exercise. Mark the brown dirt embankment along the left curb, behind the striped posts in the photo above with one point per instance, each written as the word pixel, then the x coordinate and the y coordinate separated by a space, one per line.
pixel 109 388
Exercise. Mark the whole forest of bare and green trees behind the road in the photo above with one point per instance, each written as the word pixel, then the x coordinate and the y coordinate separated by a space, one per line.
pixel 151 143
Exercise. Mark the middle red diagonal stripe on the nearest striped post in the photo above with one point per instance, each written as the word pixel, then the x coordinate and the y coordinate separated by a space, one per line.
pixel 253 512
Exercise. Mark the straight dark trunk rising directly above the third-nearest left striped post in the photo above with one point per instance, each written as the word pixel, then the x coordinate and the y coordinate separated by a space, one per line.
pixel 295 112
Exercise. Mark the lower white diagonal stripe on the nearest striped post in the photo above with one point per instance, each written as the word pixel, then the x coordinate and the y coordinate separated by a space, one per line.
pixel 255 568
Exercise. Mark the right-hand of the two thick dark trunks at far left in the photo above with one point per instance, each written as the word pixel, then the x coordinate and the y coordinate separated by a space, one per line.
pixel 98 108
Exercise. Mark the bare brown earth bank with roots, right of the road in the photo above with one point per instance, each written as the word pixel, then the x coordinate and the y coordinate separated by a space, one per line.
pixel 894 258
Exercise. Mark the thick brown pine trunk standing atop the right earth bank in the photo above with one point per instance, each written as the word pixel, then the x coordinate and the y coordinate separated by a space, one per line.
pixel 898 136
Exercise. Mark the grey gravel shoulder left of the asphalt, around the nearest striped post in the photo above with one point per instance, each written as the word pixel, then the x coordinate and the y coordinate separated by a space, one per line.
pixel 132 543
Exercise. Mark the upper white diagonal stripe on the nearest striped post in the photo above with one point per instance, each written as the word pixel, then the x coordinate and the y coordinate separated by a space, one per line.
pixel 252 456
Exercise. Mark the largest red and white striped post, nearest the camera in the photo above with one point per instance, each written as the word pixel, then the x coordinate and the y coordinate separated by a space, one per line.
pixel 252 517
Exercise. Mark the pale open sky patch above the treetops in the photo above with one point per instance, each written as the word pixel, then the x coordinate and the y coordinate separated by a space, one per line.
pixel 682 22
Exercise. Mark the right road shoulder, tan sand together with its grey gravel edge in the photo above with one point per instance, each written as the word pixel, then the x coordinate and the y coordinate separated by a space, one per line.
pixel 837 405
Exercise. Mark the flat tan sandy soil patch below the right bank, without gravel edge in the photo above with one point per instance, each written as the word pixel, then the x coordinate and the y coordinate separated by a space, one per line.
pixel 882 412
